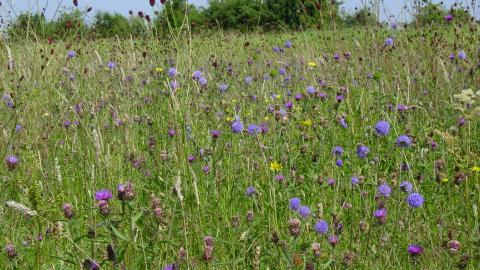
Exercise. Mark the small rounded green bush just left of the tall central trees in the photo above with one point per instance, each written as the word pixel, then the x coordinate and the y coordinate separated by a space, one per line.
pixel 109 25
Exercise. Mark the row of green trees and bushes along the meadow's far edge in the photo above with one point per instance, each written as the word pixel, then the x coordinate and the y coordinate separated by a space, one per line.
pixel 237 15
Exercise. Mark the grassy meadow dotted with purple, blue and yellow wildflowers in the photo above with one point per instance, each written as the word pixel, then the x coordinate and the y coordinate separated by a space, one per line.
pixel 271 157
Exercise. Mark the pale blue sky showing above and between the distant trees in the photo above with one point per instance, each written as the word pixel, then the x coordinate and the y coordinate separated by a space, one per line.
pixel 388 8
